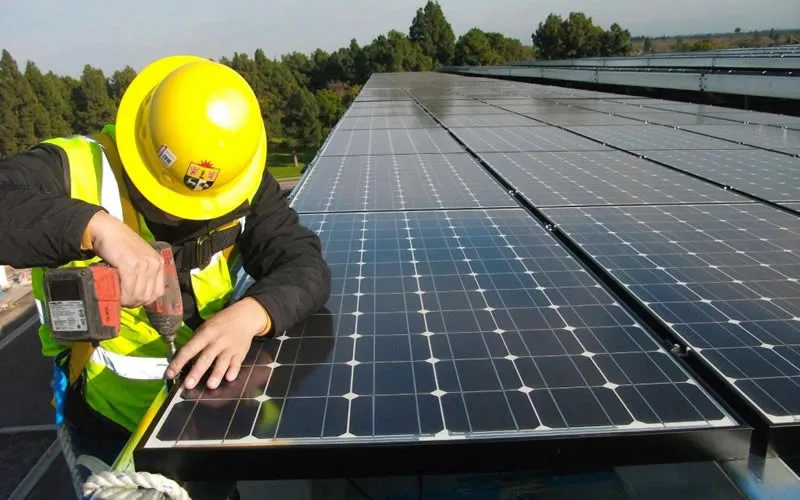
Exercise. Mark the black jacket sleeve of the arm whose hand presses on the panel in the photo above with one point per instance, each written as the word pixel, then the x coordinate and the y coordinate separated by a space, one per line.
pixel 284 258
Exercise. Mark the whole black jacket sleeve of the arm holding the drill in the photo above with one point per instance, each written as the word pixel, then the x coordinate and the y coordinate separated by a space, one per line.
pixel 40 225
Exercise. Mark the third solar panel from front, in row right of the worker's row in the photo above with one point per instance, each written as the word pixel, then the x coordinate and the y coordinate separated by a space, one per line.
pixel 513 139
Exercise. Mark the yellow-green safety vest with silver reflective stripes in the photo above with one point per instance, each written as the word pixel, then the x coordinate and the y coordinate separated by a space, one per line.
pixel 123 375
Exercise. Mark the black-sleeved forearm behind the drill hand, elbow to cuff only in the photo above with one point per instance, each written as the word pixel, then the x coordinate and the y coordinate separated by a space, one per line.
pixel 41 229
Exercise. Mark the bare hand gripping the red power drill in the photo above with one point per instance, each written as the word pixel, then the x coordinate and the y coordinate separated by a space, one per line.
pixel 139 266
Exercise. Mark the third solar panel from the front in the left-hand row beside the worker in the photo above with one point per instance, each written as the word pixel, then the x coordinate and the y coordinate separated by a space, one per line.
pixel 391 141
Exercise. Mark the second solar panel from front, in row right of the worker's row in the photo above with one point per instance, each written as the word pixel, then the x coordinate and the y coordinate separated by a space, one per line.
pixel 600 178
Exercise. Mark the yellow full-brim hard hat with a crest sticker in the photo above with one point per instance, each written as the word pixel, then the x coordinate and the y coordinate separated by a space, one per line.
pixel 191 137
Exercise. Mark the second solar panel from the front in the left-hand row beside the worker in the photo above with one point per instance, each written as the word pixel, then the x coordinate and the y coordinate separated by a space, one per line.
pixel 398 182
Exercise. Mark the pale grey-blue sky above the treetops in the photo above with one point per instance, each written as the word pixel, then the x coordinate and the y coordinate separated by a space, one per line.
pixel 61 37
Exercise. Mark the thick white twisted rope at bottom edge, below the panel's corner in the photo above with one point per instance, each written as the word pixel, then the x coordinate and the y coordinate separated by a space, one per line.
pixel 132 486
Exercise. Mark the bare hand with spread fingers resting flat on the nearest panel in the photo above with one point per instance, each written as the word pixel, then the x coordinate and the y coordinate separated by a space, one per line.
pixel 223 341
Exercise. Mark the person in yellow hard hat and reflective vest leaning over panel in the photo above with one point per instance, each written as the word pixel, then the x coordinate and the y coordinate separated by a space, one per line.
pixel 184 163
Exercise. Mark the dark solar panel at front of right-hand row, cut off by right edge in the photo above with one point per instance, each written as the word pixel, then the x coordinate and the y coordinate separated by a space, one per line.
pixel 723 278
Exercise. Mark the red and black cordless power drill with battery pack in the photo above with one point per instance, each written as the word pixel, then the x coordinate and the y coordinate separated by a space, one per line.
pixel 84 303
